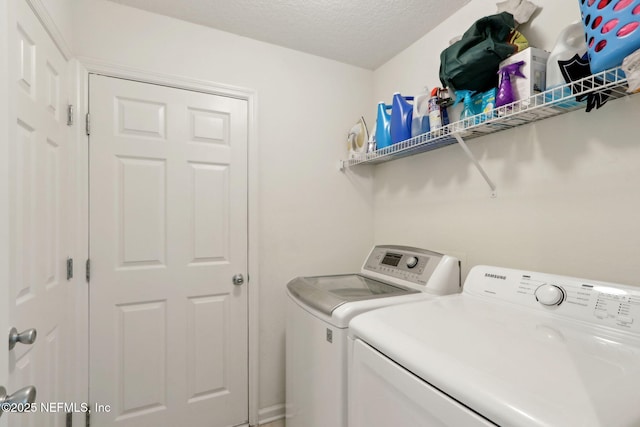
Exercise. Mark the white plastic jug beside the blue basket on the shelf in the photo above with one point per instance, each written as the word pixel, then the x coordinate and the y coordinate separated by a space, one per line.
pixel 570 42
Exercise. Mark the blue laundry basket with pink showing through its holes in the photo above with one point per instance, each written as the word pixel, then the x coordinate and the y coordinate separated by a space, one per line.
pixel 612 31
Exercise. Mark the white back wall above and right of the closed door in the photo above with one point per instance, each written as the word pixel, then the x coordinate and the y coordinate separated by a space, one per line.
pixel 313 218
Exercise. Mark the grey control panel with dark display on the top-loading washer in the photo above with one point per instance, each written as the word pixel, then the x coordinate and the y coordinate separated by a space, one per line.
pixel 400 262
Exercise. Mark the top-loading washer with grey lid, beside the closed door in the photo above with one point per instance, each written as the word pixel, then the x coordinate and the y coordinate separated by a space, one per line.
pixel 318 313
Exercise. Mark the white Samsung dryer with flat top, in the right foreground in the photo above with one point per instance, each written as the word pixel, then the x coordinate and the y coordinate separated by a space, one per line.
pixel 515 348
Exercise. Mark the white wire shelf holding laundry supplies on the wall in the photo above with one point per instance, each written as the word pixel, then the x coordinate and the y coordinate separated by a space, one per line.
pixel 553 102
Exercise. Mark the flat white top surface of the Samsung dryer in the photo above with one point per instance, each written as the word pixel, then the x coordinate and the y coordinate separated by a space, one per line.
pixel 512 365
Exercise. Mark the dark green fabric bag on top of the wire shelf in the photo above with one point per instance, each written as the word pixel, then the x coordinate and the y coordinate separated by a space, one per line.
pixel 472 62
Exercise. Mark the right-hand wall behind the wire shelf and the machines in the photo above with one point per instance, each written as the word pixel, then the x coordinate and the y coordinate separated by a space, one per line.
pixel 567 187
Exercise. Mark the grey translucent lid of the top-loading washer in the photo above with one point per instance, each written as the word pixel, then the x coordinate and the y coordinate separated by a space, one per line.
pixel 326 293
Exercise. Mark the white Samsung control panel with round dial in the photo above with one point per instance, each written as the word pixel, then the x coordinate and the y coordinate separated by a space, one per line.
pixel 607 304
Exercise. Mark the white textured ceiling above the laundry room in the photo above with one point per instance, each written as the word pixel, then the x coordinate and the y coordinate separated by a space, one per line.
pixel 366 33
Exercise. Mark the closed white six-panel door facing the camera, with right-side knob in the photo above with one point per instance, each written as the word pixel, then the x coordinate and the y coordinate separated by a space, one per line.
pixel 168 231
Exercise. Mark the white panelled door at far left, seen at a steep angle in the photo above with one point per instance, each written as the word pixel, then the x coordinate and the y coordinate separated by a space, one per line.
pixel 40 296
